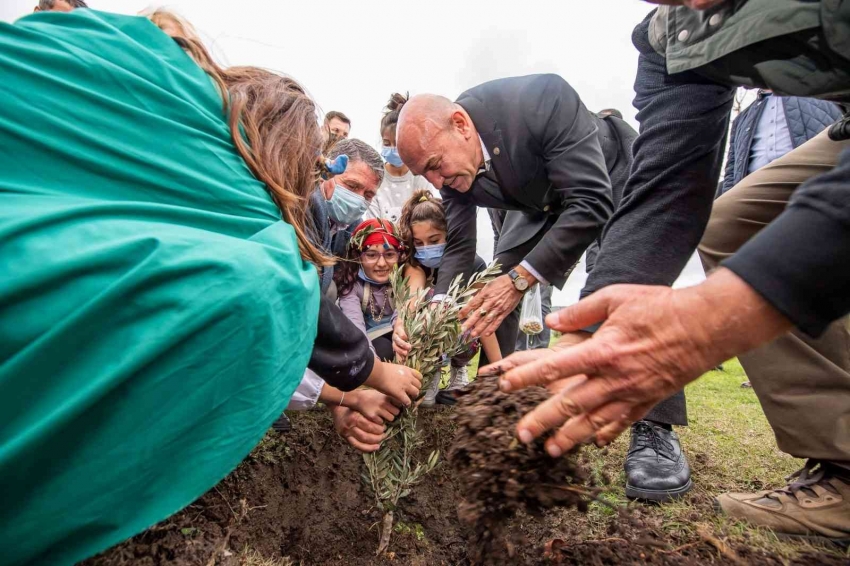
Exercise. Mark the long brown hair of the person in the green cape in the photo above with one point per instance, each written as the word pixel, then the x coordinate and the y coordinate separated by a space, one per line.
pixel 274 125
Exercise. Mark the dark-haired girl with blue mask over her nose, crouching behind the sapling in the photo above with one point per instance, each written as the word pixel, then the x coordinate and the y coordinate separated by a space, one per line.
pixel 423 229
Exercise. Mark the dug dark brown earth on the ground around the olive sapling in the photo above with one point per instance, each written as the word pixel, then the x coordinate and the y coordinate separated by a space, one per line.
pixel 301 496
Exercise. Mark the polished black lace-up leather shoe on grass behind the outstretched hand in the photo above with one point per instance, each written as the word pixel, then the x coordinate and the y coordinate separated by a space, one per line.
pixel 656 467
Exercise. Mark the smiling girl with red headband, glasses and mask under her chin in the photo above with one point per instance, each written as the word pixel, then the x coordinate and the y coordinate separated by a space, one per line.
pixel 363 280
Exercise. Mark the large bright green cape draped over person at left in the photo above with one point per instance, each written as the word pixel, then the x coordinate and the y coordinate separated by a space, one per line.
pixel 155 313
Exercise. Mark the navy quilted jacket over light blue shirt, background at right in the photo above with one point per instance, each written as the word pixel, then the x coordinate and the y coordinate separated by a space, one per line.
pixel 806 118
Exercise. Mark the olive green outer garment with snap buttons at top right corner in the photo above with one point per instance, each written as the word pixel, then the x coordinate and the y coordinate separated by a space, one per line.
pixel 794 47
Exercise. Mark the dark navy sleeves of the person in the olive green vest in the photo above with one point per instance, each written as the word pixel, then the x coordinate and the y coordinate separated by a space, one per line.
pixel 799 262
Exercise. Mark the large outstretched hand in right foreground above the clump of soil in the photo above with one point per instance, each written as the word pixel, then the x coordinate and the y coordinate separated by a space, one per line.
pixel 653 342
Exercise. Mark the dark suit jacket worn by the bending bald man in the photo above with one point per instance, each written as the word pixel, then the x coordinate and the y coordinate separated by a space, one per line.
pixel 546 159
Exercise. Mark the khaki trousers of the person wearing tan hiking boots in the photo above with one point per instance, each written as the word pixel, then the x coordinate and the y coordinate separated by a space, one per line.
pixel 803 384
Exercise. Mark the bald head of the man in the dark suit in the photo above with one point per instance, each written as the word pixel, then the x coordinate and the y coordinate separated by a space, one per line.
pixel 436 138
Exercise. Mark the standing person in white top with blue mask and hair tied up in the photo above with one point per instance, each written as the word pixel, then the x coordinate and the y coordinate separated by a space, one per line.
pixel 399 183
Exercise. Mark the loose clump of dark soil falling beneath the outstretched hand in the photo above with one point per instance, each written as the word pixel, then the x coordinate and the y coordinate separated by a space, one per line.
pixel 500 477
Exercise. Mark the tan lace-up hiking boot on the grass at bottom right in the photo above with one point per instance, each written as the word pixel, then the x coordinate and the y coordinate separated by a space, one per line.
pixel 815 505
